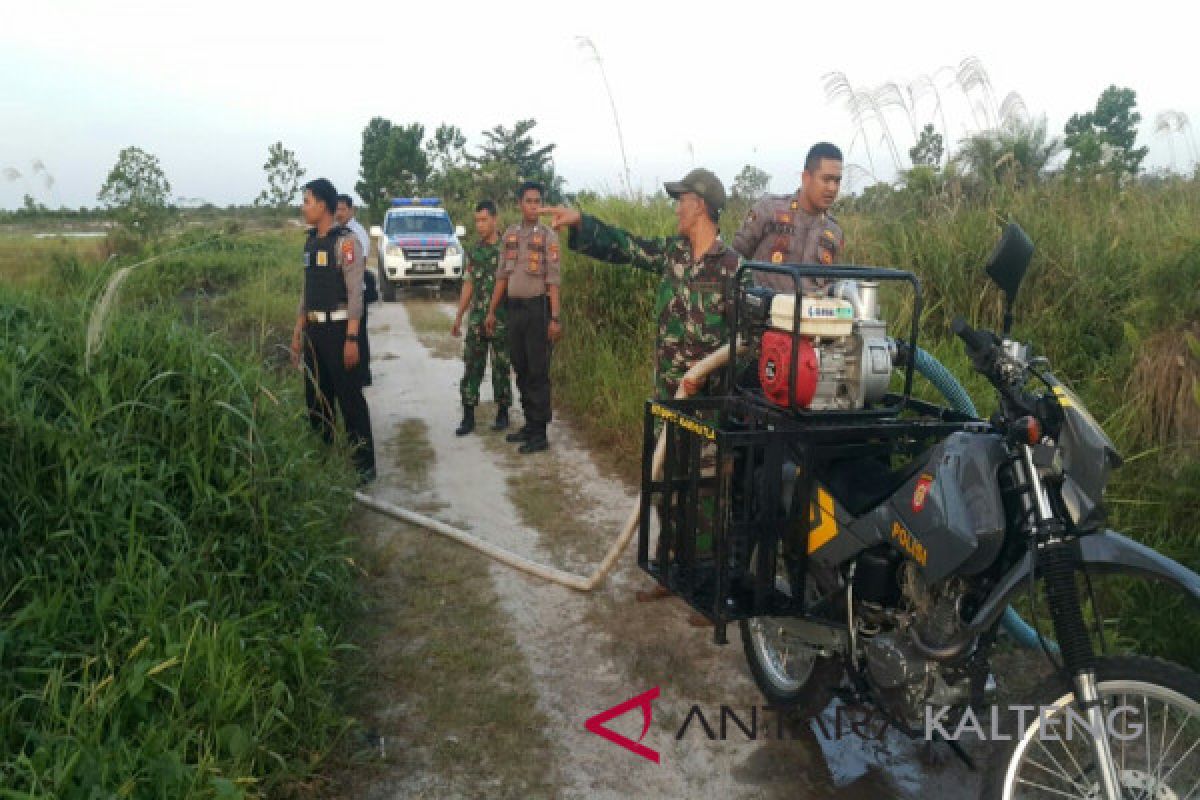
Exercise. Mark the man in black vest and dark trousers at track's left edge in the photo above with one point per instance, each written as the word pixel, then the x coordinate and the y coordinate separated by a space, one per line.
pixel 329 323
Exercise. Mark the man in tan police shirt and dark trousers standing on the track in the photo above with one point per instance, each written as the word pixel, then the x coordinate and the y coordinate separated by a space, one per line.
pixel 527 281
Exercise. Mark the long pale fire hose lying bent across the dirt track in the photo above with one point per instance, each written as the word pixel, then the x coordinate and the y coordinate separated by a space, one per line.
pixel 688 387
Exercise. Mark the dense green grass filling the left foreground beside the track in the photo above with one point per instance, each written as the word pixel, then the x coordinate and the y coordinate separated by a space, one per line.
pixel 175 570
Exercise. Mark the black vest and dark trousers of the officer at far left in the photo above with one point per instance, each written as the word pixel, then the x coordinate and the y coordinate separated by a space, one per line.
pixel 327 381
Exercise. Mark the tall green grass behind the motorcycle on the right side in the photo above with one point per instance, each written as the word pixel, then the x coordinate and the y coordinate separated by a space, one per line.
pixel 1115 274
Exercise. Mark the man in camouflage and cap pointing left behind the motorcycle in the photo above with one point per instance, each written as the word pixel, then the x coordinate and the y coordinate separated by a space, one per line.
pixel 698 270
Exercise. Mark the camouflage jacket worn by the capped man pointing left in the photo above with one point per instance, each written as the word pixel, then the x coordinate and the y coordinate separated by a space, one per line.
pixel 691 304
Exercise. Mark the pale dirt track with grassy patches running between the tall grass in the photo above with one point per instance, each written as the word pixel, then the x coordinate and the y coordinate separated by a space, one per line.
pixel 487 676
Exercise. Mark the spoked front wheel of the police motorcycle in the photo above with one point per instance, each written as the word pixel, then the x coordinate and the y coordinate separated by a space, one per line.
pixel 1153 723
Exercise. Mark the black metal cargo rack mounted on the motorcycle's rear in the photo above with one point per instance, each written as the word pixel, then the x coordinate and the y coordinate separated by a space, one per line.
pixel 716 448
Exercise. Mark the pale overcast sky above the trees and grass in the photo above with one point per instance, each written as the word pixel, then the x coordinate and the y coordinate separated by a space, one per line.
pixel 208 86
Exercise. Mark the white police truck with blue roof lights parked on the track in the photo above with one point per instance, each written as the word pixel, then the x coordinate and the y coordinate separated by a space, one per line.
pixel 418 244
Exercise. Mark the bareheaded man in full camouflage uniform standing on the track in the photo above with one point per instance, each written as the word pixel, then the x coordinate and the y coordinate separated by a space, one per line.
pixel 479 284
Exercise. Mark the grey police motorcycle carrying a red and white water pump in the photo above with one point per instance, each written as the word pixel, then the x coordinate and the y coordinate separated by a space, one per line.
pixel 869 544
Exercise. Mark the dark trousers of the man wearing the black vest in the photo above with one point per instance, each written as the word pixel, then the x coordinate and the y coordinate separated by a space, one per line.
pixel 328 384
